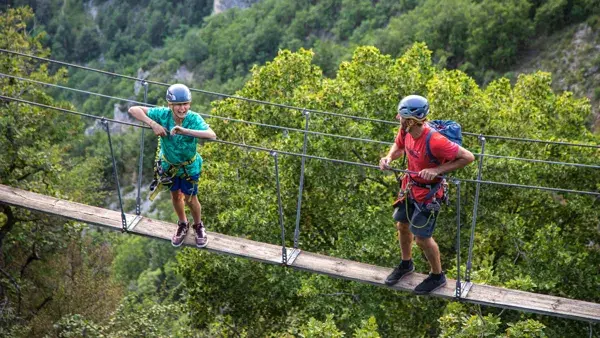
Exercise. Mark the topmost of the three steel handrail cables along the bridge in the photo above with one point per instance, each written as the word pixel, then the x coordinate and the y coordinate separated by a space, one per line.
pixel 506 138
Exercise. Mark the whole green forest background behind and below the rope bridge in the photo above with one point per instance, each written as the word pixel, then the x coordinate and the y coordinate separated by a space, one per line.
pixel 477 61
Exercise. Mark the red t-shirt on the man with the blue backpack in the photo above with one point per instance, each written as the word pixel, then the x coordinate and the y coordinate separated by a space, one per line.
pixel 441 148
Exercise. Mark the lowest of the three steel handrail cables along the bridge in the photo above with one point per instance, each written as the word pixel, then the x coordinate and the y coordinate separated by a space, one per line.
pixel 514 185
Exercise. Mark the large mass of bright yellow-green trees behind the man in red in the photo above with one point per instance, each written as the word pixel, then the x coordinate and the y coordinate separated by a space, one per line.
pixel 344 215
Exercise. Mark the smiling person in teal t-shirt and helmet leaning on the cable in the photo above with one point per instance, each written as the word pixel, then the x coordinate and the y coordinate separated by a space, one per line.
pixel 179 129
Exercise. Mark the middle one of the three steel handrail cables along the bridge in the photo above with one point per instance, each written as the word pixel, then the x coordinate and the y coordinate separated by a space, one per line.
pixel 294 129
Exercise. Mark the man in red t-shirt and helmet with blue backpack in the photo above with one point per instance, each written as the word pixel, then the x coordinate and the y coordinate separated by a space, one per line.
pixel 418 205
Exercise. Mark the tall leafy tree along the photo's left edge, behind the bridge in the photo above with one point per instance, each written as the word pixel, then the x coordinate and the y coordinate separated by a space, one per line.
pixel 46 268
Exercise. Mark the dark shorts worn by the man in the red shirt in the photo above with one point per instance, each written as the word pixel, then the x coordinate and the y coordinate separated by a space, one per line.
pixel 422 222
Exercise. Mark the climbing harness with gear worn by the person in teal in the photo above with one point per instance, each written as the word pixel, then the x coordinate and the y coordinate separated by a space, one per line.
pixel 165 177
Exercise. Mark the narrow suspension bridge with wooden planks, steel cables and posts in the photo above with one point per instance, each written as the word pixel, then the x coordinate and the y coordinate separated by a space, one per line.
pixel 294 257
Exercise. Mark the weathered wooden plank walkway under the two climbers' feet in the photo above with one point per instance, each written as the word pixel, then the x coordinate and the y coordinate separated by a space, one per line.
pixel 335 267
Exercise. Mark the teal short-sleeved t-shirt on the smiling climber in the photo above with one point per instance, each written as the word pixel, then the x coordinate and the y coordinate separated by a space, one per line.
pixel 179 148
